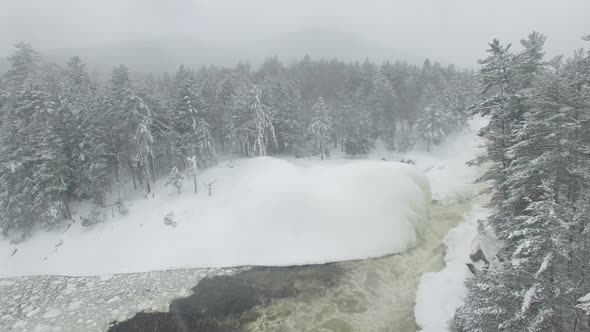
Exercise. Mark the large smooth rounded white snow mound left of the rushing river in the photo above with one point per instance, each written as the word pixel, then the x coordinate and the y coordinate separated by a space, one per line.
pixel 264 211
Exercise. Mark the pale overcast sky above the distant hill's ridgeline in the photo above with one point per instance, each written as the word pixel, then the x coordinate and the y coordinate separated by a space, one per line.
pixel 453 31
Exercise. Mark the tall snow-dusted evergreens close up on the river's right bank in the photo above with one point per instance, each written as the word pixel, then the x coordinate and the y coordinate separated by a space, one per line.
pixel 538 160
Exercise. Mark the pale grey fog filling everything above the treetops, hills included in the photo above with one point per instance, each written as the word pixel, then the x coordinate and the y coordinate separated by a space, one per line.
pixel 148 32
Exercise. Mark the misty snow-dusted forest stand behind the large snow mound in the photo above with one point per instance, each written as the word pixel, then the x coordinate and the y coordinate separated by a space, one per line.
pixel 65 135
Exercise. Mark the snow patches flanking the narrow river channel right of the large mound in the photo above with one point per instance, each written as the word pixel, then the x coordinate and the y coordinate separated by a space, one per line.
pixel 440 293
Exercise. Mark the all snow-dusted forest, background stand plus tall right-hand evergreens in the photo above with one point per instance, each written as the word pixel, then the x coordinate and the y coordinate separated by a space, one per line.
pixel 68 134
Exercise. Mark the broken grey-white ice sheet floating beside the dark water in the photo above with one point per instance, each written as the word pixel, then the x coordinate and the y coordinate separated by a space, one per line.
pixel 92 308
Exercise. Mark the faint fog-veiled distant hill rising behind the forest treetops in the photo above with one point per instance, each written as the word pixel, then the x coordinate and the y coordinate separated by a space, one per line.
pixel 166 55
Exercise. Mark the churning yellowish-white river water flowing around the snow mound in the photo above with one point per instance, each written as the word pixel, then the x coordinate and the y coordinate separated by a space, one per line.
pixel 371 295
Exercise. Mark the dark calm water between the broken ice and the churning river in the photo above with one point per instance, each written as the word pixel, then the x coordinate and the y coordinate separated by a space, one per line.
pixel 225 303
